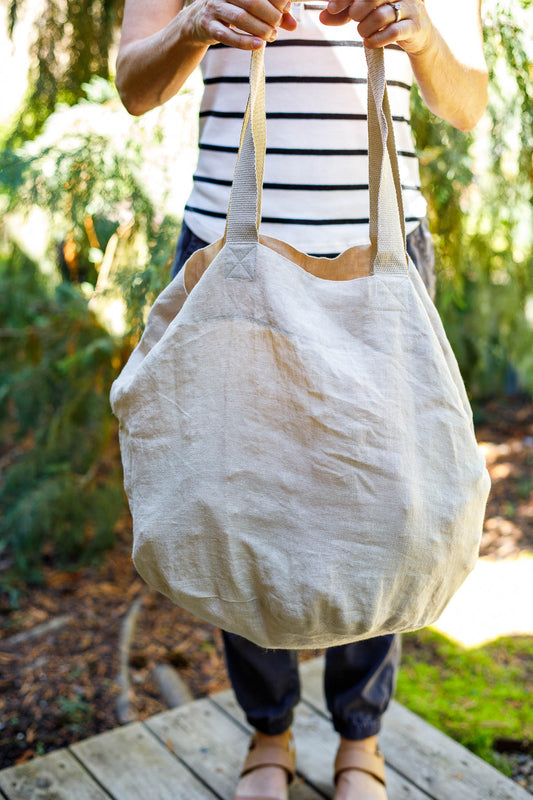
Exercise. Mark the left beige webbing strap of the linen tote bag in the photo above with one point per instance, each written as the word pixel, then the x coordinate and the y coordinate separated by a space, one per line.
pixel 244 212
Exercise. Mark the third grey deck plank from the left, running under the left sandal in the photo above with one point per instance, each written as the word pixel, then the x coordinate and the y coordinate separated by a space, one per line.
pixel 212 744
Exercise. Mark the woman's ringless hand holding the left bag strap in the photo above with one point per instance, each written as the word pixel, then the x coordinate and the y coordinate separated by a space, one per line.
pixel 245 24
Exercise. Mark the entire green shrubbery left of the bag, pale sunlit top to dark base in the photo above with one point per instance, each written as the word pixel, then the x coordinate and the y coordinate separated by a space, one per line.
pixel 60 345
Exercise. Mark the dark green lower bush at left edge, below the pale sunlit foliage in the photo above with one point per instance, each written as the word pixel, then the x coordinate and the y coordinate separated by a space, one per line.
pixel 61 491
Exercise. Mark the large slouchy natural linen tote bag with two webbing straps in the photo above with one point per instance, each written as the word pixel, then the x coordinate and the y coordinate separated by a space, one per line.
pixel 298 447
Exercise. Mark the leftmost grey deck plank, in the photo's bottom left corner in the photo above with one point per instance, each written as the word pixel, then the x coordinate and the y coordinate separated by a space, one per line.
pixel 57 775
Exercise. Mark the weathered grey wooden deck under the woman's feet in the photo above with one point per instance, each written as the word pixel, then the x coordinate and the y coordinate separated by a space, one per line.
pixel 194 753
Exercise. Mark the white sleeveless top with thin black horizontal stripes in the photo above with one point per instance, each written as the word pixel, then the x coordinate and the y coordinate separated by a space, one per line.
pixel 316 172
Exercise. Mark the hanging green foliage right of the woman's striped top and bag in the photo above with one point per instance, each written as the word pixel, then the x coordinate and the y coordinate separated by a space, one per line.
pixel 480 193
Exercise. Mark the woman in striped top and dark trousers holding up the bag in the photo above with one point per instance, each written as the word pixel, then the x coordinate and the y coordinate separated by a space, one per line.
pixel 316 198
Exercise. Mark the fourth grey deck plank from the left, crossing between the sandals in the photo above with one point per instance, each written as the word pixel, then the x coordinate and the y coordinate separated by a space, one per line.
pixel 316 745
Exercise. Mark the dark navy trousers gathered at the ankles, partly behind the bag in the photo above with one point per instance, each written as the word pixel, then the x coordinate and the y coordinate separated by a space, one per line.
pixel 360 677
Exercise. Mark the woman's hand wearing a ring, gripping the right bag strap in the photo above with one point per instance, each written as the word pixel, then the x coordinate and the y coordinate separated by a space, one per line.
pixel 405 22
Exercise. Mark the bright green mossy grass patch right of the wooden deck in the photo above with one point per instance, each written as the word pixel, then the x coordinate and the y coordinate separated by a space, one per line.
pixel 477 696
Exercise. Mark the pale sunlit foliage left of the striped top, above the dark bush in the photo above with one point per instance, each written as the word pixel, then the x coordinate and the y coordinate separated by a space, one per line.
pixel 84 173
